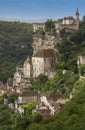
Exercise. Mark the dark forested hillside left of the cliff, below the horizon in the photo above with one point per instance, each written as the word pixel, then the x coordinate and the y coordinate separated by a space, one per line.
pixel 15 46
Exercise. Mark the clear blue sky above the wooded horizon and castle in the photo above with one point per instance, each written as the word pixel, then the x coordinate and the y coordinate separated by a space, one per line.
pixel 36 10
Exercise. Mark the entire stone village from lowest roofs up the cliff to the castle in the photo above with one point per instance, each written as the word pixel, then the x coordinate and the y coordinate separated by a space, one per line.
pixel 42 61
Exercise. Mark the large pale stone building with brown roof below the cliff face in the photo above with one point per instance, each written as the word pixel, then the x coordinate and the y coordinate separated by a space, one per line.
pixel 42 61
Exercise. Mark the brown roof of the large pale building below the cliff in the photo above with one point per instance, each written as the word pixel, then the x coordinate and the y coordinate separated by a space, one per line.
pixel 45 53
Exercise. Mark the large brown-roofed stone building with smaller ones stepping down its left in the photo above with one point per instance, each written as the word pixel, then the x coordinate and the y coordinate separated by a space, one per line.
pixel 41 63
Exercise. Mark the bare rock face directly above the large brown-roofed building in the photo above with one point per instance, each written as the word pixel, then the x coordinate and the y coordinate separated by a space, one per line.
pixel 48 42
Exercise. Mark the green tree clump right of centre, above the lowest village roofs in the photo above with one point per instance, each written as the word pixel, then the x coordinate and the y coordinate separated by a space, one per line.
pixel 62 83
